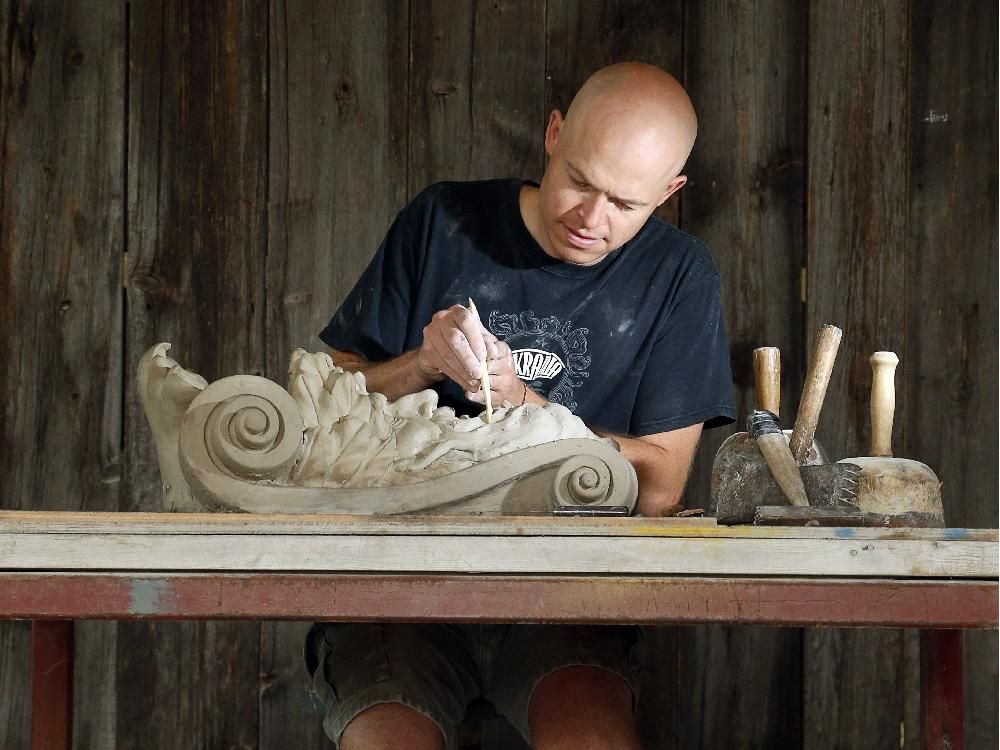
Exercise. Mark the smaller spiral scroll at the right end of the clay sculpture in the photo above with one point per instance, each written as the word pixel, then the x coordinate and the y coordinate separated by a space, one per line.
pixel 588 479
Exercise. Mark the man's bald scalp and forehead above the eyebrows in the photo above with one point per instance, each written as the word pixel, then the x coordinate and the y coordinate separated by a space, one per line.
pixel 641 111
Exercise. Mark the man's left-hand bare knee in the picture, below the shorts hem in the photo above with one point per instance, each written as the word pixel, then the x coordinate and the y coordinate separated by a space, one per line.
pixel 391 725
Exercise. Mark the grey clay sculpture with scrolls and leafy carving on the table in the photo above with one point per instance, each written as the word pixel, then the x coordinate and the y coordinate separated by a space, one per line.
pixel 326 445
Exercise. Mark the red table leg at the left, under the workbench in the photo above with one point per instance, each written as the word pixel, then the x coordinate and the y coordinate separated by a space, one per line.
pixel 52 684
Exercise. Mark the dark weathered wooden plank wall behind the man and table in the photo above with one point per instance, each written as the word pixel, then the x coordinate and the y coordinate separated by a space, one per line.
pixel 249 156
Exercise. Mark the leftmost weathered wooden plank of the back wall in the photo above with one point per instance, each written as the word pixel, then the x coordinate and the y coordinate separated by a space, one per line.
pixel 62 81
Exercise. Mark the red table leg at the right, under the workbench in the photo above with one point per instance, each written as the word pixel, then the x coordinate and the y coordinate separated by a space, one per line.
pixel 941 689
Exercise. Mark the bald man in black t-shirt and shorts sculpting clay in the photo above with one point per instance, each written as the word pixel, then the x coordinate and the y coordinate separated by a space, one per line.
pixel 587 301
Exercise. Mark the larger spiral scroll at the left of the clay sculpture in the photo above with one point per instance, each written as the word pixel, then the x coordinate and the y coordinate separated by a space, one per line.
pixel 243 427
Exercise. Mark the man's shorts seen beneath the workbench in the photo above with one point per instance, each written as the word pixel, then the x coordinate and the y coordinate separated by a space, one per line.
pixel 439 669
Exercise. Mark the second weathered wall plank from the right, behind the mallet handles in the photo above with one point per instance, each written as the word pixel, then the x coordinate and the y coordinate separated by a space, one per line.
pixel 857 248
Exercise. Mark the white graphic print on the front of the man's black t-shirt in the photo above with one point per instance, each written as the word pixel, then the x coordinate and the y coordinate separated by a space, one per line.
pixel 549 355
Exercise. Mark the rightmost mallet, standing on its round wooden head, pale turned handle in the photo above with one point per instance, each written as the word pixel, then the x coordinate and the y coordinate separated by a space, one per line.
pixel 894 486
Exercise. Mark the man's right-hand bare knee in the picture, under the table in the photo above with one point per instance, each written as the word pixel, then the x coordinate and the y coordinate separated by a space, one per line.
pixel 585 708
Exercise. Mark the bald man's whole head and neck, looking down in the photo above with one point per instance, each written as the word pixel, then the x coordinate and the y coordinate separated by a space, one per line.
pixel 616 155
